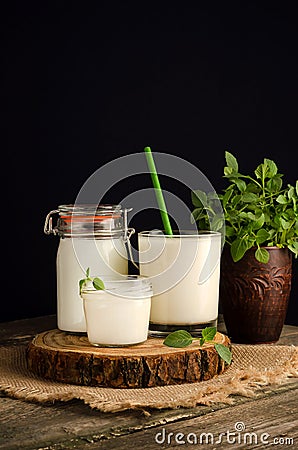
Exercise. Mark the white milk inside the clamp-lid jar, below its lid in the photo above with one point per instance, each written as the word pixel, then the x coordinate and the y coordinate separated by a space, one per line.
pixel 101 256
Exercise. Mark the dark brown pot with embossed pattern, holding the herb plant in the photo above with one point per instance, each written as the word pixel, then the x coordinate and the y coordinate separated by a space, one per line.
pixel 254 296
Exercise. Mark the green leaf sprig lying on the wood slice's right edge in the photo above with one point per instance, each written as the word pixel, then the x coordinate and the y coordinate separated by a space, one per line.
pixel 182 338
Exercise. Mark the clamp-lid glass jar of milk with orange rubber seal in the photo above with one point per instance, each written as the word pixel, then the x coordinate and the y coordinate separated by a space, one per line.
pixel 91 236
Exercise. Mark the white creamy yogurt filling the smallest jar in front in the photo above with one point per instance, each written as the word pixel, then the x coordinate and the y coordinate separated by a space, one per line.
pixel 113 320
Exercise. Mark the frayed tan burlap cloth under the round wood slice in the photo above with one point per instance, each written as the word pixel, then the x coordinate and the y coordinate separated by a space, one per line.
pixel 252 368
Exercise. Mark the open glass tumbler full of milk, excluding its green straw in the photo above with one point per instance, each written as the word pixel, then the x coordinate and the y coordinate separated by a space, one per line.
pixel 184 270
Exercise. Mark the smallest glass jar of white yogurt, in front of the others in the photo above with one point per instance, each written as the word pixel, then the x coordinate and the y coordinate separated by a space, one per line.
pixel 119 314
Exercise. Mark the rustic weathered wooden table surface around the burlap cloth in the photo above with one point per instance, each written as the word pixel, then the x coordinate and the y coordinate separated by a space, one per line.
pixel 25 425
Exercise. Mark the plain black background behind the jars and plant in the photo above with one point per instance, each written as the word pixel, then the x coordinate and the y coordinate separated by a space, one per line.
pixel 86 82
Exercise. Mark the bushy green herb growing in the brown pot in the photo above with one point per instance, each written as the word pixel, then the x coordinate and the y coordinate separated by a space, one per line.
pixel 258 210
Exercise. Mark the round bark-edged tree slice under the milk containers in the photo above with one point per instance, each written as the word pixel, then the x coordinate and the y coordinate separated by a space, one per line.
pixel 69 358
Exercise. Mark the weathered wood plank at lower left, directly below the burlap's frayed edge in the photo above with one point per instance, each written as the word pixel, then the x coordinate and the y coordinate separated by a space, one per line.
pixel 73 424
